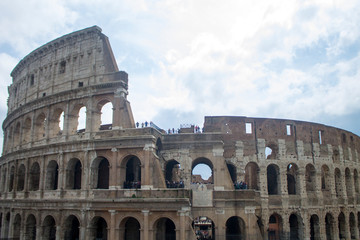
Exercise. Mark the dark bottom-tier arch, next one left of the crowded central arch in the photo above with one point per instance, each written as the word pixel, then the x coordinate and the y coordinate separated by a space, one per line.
pixel 164 229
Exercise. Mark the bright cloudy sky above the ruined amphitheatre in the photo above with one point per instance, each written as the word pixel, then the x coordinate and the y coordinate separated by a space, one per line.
pixel 188 59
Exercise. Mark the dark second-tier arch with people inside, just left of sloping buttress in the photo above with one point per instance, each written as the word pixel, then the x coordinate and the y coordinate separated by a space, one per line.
pixel 132 173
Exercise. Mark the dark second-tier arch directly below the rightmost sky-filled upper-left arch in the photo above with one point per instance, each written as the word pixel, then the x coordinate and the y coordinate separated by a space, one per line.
pixel 100 170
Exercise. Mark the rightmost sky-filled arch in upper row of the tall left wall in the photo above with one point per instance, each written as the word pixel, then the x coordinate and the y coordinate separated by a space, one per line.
pixel 103 120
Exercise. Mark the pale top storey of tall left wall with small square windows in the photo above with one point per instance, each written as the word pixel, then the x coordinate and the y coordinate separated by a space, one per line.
pixel 77 59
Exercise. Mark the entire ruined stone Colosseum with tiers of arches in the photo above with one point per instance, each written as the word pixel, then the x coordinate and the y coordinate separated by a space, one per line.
pixel 270 178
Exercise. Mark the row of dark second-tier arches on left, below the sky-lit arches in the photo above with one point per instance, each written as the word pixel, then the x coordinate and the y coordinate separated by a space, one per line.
pixel 19 178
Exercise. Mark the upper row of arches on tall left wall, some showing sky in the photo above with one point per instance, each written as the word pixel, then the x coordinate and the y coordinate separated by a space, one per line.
pixel 41 125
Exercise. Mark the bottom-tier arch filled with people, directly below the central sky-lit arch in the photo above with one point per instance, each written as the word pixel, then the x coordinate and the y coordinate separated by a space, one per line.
pixel 204 228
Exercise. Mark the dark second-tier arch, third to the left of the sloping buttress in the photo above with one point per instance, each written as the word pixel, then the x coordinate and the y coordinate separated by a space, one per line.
pixel 73 174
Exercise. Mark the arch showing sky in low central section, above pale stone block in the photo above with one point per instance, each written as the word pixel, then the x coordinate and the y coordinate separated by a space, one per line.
pixel 202 171
